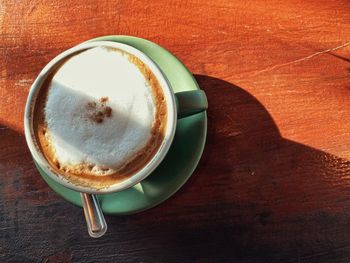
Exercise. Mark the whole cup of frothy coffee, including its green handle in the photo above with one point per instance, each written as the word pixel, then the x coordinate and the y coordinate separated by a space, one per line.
pixel 52 96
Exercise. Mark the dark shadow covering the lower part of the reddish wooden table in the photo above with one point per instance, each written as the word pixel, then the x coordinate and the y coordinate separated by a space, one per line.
pixel 255 197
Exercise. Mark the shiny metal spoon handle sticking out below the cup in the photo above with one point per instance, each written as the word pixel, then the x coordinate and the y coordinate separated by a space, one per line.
pixel 95 220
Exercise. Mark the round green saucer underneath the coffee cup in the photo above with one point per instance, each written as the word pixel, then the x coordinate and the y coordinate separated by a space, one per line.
pixel 182 157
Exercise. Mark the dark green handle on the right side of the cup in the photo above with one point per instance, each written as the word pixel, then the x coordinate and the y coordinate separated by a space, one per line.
pixel 190 102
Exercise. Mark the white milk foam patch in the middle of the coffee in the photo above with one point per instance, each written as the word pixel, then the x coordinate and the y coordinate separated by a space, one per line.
pixel 87 77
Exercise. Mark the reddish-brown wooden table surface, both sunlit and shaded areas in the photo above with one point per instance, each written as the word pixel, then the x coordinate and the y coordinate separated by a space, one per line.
pixel 274 181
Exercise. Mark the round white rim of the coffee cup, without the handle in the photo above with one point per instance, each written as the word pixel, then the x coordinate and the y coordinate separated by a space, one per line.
pixel 141 174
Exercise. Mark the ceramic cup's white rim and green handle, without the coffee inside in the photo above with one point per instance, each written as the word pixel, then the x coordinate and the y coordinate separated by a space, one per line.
pixel 179 105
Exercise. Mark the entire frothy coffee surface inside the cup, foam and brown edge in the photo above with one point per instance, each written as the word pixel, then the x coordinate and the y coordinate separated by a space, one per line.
pixel 100 117
